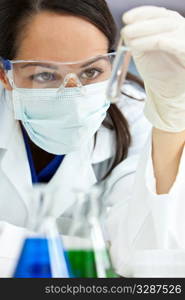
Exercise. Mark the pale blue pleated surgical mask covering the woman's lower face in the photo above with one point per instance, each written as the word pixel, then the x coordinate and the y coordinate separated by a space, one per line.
pixel 61 122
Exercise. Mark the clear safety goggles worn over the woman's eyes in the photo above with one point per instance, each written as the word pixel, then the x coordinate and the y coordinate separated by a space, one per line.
pixel 34 74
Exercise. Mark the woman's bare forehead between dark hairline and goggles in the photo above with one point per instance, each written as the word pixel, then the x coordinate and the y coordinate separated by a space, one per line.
pixel 57 37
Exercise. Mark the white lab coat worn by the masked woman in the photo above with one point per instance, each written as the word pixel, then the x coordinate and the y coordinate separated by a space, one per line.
pixel 133 222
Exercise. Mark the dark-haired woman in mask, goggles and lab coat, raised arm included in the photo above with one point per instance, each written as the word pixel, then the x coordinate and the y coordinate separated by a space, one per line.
pixel 41 38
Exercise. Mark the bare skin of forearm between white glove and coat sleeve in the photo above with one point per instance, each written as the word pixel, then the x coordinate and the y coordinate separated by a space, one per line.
pixel 166 153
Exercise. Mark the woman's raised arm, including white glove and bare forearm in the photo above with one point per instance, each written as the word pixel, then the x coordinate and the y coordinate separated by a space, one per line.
pixel 155 37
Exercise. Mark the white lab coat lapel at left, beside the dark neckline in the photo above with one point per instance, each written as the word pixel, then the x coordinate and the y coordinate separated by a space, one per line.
pixel 14 163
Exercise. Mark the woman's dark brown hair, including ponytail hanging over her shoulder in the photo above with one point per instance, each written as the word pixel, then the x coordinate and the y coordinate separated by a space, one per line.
pixel 15 13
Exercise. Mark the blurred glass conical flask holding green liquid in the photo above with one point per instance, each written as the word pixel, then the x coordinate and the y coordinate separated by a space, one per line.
pixel 86 248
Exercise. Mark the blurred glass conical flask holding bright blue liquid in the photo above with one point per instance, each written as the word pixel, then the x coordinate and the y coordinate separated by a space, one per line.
pixel 42 254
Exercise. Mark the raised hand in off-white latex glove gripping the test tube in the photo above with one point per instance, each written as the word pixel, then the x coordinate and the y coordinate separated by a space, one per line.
pixel 156 37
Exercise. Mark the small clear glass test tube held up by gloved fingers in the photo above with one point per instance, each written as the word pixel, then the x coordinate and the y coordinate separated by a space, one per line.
pixel 119 71
